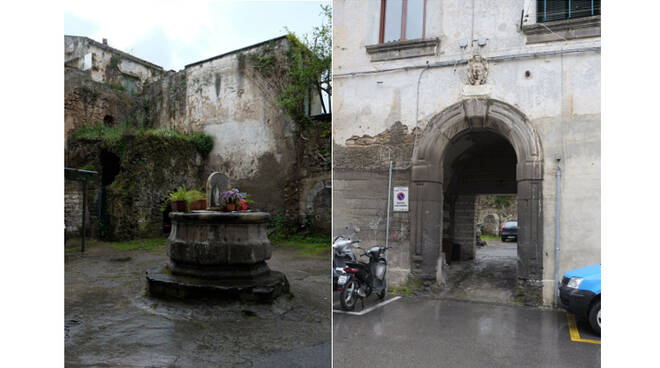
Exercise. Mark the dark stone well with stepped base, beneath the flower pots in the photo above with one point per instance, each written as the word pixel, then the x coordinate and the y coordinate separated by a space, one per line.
pixel 218 255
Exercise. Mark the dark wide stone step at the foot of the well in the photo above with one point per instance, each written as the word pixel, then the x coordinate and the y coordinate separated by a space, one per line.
pixel 263 288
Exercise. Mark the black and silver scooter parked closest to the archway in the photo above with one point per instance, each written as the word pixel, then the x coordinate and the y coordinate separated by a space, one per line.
pixel 363 278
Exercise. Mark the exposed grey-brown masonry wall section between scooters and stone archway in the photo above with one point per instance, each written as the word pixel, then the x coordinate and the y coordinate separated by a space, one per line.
pixel 360 182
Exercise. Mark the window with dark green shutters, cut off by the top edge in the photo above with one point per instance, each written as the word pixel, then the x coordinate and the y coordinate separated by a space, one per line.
pixel 550 10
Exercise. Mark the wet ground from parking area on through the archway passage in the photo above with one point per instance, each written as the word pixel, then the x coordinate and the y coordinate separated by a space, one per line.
pixel 472 322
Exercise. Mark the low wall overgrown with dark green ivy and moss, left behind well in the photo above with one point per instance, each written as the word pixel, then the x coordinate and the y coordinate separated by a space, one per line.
pixel 151 163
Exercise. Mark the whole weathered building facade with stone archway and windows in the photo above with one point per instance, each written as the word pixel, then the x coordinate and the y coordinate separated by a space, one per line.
pixel 468 98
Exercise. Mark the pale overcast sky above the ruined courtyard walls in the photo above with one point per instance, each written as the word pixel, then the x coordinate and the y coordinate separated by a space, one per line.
pixel 175 33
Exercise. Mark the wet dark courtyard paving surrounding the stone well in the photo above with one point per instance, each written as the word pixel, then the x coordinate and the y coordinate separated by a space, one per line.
pixel 111 322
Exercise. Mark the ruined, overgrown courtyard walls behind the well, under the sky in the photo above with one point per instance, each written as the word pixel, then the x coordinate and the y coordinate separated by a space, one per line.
pixel 282 165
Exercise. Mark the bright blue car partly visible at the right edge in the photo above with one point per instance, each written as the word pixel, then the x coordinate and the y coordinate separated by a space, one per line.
pixel 579 293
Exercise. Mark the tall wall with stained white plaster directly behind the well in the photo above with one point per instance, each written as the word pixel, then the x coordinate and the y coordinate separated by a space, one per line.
pixel 254 141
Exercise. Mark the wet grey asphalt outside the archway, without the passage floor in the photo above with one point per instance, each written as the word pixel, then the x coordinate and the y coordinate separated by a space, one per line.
pixel 427 332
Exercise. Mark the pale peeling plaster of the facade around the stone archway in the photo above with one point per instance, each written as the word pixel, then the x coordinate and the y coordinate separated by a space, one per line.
pixel 560 97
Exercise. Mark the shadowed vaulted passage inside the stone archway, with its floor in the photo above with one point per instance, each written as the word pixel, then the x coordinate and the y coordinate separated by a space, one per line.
pixel 475 163
